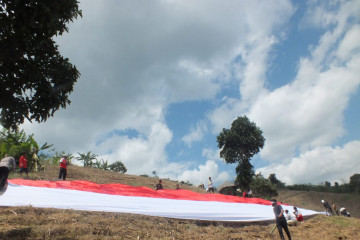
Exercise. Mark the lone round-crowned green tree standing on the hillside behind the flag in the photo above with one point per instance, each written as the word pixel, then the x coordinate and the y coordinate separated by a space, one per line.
pixel 238 145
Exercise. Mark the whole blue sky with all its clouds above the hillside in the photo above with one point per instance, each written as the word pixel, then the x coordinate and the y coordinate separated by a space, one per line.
pixel 160 79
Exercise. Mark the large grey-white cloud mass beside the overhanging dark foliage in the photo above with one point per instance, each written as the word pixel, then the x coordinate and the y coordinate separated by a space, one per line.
pixel 136 60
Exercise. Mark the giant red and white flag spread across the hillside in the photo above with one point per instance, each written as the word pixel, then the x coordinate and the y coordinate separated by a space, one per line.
pixel 182 204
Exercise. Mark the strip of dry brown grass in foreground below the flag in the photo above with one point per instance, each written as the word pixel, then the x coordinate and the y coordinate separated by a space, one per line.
pixel 33 223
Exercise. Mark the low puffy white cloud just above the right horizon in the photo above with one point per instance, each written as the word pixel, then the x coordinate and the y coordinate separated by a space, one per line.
pixel 318 165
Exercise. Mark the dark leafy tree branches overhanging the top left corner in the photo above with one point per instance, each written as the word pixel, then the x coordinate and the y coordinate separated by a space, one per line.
pixel 35 80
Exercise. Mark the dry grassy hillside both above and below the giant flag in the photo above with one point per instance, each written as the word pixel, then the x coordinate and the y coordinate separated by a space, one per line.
pixel 33 223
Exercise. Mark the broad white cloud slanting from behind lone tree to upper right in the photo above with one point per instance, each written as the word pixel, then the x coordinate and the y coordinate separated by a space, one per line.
pixel 307 114
